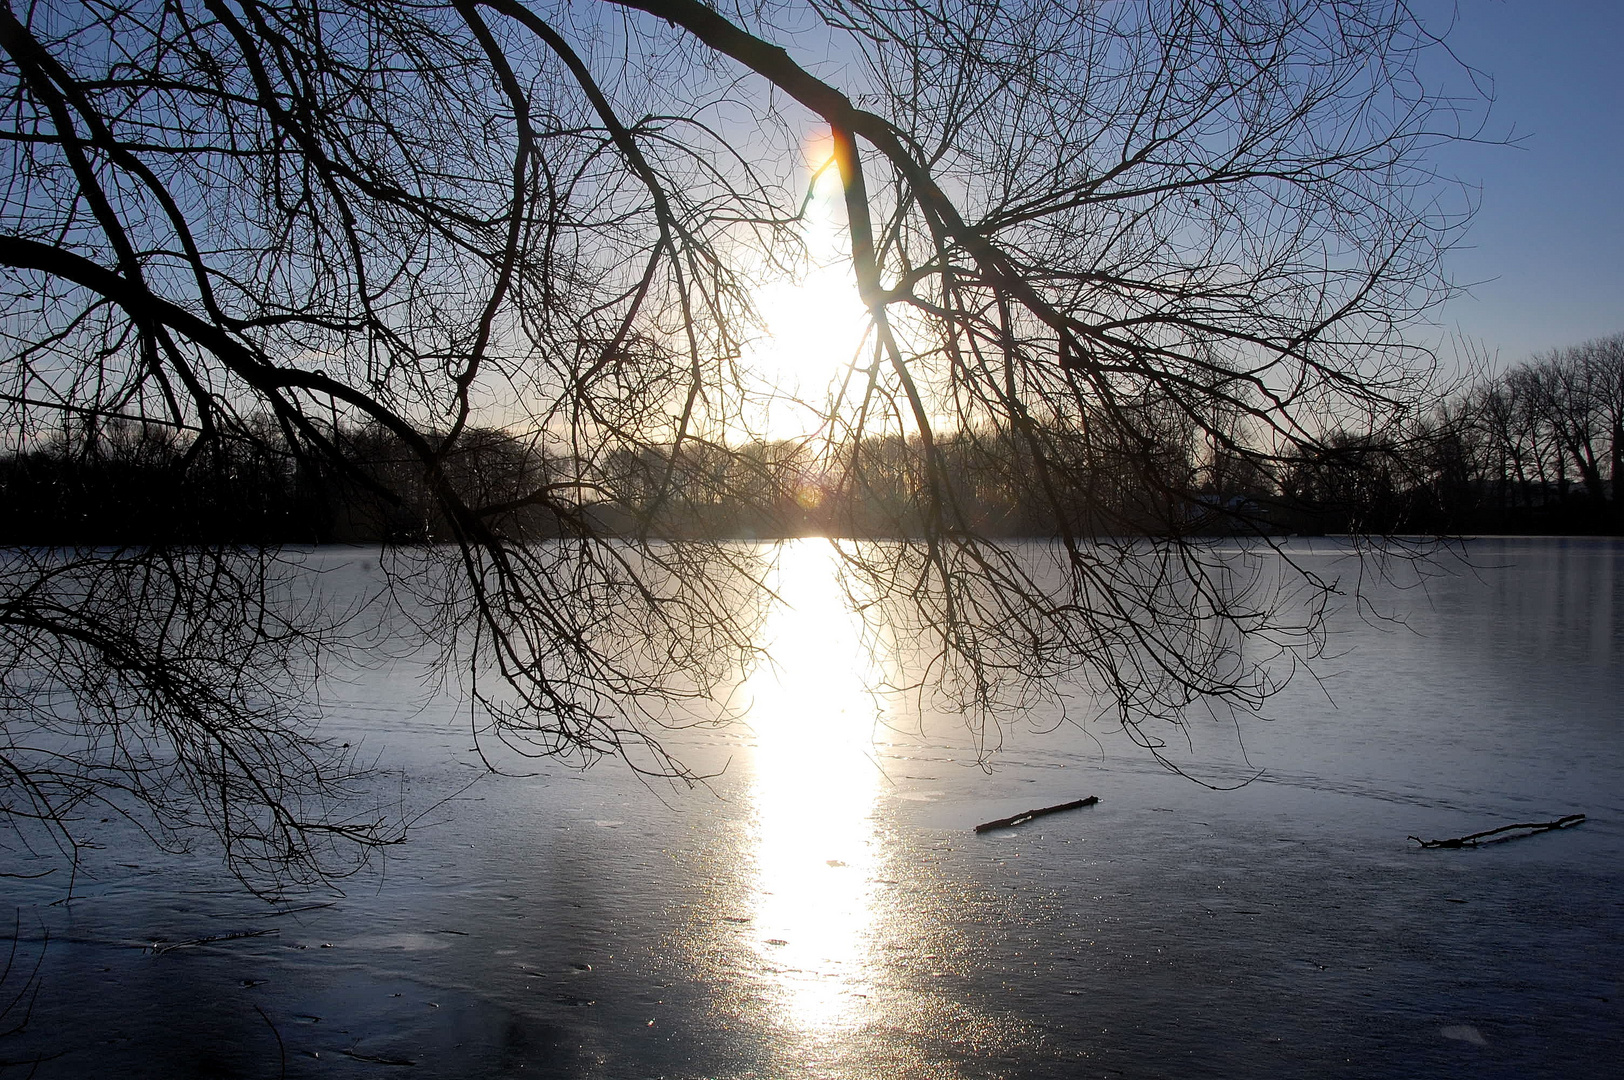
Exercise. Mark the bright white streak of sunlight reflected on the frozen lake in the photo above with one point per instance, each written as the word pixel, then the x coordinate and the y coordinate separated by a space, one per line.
pixel 814 790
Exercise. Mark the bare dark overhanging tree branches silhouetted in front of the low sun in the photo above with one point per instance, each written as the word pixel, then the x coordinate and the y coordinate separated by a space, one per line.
pixel 1112 257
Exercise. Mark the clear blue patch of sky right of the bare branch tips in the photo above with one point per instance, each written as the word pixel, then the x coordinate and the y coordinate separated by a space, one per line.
pixel 1547 248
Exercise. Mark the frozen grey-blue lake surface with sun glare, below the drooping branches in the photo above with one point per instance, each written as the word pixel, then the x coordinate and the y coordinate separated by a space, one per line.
pixel 824 909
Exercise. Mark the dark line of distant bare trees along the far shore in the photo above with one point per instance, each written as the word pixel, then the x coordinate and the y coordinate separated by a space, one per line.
pixel 1535 449
